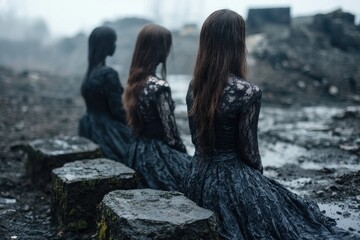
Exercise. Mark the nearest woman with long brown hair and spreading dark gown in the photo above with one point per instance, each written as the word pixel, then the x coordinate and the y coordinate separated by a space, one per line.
pixel 225 175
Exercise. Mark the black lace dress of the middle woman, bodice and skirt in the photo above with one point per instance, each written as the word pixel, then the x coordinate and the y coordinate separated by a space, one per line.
pixel 158 155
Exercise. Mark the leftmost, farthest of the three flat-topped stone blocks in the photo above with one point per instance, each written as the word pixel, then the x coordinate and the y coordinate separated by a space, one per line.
pixel 47 154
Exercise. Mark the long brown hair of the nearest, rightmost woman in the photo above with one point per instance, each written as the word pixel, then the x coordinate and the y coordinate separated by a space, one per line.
pixel 222 51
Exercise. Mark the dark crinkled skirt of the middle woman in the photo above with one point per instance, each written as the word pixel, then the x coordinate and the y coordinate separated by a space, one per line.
pixel 157 164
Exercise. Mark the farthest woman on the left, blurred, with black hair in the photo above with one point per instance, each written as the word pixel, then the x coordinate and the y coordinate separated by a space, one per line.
pixel 105 120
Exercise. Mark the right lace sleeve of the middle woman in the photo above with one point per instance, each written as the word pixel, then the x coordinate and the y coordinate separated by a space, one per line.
pixel 165 107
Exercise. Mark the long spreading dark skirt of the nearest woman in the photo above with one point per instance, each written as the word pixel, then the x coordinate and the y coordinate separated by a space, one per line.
pixel 249 205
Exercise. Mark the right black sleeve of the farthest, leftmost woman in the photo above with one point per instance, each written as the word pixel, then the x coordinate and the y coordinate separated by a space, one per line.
pixel 114 91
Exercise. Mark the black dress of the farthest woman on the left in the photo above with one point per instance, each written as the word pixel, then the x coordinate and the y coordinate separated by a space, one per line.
pixel 104 122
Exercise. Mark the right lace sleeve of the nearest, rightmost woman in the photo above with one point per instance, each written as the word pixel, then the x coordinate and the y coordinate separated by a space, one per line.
pixel 248 124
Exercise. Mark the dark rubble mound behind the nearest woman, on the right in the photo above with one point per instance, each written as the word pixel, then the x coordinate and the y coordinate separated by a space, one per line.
pixel 306 63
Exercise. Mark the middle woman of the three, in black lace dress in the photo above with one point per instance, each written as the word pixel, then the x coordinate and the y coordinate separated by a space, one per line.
pixel 159 155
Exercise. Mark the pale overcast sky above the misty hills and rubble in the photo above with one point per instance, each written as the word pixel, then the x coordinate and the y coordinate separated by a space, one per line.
pixel 67 17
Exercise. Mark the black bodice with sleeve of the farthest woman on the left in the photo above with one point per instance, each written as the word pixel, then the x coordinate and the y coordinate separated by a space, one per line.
pixel 102 92
